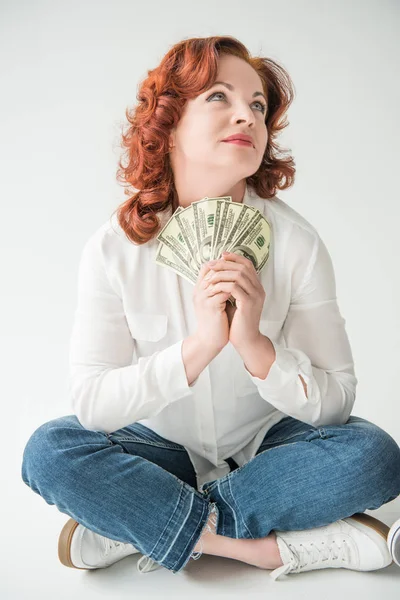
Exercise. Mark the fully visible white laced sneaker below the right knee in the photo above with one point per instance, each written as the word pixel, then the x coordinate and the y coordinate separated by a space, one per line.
pixel 358 542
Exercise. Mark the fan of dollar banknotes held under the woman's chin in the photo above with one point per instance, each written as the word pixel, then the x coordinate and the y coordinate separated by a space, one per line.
pixel 202 231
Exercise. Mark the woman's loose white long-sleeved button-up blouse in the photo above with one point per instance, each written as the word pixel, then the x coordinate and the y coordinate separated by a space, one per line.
pixel 132 316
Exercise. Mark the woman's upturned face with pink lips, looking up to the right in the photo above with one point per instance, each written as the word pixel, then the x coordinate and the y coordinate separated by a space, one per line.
pixel 216 114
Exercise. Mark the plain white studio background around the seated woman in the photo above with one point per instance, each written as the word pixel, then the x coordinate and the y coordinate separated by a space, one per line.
pixel 69 70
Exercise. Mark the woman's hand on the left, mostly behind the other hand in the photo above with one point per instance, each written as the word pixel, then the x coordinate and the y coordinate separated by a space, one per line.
pixel 212 319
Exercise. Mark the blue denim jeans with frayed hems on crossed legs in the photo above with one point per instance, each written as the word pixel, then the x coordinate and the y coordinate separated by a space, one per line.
pixel 137 487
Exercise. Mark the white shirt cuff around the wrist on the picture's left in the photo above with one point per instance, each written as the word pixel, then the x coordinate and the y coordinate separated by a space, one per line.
pixel 171 373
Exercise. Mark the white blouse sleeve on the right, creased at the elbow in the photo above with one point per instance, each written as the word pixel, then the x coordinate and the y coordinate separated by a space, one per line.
pixel 317 348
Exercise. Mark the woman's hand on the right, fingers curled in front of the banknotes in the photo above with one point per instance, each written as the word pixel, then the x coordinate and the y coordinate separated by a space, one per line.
pixel 236 274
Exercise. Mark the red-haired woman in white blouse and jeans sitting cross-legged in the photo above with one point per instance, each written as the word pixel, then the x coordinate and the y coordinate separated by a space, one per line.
pixel 229 431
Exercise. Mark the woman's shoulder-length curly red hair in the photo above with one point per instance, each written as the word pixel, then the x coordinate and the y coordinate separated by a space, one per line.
pixel 186 71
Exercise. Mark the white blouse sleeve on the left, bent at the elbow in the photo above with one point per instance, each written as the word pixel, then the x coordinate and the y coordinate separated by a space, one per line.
pixel 106 390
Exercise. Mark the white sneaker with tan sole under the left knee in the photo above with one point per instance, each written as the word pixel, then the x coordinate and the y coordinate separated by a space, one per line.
pixel 81 548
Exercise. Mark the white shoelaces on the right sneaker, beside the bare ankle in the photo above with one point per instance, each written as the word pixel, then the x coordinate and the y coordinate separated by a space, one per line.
pixel 306 554
